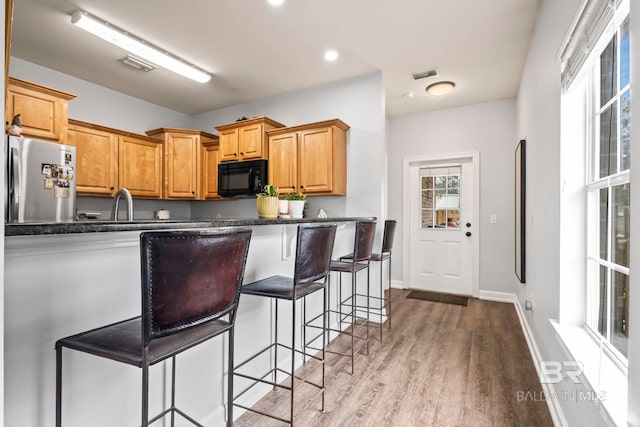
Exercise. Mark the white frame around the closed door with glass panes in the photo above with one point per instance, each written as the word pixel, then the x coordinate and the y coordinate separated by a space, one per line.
pixel 407 164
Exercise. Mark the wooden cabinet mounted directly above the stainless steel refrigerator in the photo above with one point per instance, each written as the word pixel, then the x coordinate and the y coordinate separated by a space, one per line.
pixel 44 112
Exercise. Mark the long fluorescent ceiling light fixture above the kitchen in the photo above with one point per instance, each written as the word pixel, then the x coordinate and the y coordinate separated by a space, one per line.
pixel 137 47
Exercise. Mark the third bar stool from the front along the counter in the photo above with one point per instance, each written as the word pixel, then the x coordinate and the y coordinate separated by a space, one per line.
pixel 360 260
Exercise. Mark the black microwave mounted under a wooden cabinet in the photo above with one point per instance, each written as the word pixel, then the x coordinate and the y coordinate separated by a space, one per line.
pixel 242 179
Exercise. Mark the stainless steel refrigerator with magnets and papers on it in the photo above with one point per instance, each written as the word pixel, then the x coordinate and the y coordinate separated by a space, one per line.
pixel 41 184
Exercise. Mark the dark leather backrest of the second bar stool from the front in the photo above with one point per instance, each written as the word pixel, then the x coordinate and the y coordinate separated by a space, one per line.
pixel 313 252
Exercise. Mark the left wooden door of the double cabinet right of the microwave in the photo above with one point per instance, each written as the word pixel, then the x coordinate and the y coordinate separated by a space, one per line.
pixel 283 163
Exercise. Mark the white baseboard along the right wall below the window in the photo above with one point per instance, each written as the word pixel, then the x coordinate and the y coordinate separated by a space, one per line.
pixel 557 415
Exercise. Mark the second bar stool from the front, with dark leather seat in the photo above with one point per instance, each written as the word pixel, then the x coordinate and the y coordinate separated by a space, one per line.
pixel 313 253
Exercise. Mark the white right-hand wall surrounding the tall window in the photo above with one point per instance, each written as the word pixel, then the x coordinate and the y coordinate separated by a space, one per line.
pixel 539 122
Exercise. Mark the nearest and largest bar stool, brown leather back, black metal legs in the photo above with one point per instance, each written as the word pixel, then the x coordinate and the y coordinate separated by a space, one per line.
pixel 190 281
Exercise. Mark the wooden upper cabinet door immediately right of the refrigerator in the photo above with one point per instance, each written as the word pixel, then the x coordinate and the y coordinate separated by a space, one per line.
pixel 96 160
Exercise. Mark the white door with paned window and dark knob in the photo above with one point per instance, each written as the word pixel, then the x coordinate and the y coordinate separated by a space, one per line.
pixel 441 221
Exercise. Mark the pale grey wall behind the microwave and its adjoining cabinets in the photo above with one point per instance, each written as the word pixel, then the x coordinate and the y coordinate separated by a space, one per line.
pixel 359 102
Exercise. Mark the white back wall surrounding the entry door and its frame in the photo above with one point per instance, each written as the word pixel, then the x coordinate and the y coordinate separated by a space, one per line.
pixel 488 128
